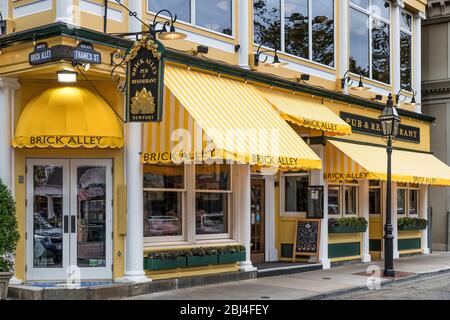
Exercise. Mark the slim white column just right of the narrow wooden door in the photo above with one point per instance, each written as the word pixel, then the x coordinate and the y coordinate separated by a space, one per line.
pixel 271 252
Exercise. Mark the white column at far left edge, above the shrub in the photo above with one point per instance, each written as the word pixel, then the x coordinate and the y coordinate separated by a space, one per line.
pixel 7 87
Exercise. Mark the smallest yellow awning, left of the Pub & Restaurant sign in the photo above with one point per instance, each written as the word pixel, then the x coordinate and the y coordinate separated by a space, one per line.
pixel 306 112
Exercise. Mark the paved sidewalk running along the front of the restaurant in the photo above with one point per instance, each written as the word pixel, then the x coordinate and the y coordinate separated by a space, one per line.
pixel 309 285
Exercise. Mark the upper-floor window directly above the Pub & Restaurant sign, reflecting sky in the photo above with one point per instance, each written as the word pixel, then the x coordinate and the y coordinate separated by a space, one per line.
pixel 370 39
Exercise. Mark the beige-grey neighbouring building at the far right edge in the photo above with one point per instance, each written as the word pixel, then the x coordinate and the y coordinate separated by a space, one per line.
pixel 436 97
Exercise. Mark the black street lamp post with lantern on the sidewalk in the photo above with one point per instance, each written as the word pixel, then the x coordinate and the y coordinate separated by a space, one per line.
pixel 389 122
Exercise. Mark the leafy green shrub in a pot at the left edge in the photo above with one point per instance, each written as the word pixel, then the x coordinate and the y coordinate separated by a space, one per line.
pixel 9 236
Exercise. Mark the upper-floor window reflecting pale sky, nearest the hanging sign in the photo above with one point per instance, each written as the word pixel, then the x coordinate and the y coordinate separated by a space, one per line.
pixel 215 15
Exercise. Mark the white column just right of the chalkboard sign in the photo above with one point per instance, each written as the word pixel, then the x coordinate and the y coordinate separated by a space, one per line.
pixel 316 177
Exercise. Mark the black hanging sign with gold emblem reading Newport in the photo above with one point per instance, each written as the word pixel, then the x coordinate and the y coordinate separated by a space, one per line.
pixel 145 81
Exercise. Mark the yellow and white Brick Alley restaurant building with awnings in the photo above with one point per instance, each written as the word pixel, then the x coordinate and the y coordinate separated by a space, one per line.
pixel 244 144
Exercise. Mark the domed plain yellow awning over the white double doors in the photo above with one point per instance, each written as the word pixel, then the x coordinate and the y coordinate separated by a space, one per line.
pixel 68 117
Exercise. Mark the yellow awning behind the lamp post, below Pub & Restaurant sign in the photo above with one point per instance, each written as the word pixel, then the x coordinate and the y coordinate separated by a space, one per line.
pixel 349 161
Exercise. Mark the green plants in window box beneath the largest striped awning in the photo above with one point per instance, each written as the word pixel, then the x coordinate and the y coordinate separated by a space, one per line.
pixel 201 251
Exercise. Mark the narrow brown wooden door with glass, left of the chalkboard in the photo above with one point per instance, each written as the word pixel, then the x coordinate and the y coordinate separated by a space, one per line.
pixel 257 221
